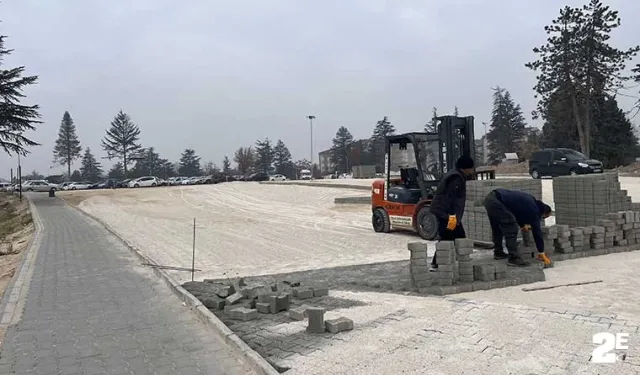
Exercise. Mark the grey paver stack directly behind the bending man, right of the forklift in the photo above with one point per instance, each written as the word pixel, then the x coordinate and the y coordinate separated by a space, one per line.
pixel 475 219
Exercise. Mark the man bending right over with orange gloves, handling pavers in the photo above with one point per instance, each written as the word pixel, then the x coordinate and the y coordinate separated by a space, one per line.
pixel 510 211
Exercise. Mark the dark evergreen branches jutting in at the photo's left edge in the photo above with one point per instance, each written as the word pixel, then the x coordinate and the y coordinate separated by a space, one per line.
pixel 15 118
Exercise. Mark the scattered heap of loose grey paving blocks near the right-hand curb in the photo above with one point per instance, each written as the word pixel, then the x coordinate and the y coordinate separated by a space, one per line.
pixel 243 302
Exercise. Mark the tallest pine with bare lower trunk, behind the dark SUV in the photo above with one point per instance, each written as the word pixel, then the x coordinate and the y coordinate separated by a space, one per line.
pixel 579 62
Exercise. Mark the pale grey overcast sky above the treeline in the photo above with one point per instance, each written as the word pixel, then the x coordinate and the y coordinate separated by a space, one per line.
pixel 216 75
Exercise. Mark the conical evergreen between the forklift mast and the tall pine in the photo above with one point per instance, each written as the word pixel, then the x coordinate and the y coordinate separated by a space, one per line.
pixel 507 127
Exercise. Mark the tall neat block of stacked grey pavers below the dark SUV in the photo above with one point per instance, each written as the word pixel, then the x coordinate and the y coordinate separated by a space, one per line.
pixel 582 200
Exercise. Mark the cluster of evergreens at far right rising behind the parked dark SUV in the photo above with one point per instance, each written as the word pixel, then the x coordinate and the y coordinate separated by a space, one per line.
pixel 579 77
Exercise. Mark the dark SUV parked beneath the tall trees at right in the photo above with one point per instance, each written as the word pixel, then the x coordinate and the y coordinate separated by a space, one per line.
pixel 561 162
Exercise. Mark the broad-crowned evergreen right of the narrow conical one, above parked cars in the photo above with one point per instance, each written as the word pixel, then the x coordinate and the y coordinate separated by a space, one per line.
pixel 122 139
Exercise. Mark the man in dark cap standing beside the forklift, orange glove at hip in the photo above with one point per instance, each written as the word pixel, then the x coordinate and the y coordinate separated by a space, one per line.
pixel 449 201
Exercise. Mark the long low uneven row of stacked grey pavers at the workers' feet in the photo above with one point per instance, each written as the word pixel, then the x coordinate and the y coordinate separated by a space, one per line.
pixel 457 272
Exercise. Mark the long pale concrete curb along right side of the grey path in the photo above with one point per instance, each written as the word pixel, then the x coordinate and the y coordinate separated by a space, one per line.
pixel 251 357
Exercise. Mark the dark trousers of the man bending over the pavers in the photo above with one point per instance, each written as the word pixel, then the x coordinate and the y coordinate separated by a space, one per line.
pixel 503 225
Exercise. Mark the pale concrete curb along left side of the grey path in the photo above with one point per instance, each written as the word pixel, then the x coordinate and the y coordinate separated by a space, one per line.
pixel 13 300
